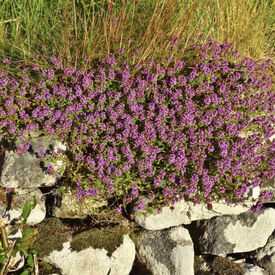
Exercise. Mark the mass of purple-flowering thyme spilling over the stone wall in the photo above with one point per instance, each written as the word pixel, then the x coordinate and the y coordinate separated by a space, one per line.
pixel 196 129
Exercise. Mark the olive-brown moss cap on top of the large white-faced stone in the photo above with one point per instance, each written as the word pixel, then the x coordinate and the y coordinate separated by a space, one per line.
pixel 109 238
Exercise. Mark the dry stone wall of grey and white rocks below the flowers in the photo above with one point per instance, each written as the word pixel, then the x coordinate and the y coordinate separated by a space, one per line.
pixel 191 239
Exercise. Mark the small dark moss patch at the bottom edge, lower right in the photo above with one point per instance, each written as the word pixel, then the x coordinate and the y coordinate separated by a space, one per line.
pixel 223 266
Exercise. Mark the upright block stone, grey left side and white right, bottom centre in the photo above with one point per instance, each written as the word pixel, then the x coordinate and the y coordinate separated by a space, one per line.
pixel 167 251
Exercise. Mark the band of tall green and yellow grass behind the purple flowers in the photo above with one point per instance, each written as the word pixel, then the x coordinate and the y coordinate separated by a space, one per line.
pixel 77 28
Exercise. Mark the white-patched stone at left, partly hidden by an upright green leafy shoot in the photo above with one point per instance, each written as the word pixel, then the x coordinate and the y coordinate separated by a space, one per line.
pixel 37 214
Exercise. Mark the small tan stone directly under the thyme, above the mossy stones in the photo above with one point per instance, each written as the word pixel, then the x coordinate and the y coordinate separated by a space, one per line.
pixel 71 208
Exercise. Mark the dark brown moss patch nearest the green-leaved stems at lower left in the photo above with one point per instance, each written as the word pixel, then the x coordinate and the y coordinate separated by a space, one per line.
pixel 51 236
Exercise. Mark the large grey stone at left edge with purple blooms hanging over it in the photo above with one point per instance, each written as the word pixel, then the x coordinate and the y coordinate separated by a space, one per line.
pixel 28 171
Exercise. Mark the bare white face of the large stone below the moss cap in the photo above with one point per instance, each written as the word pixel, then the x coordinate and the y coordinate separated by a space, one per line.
pixel 92 261
